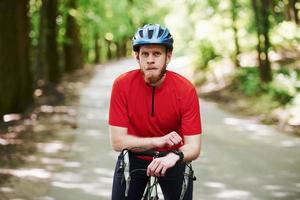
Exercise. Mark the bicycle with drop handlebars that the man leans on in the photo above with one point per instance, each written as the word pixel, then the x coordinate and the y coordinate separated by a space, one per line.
pixel 151 190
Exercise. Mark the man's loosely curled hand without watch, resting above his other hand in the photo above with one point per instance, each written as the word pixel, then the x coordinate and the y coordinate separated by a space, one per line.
pixel 170 140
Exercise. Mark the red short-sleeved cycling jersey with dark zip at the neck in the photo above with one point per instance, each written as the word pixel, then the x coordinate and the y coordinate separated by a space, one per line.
pixel 148 111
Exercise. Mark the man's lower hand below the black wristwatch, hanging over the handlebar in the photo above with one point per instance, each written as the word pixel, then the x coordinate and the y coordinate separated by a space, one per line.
pixel 159 166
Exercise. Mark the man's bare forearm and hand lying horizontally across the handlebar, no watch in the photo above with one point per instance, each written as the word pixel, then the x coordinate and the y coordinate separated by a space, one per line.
pixel 121 140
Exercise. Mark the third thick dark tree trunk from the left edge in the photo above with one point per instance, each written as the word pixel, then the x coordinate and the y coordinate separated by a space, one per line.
pixel 72 46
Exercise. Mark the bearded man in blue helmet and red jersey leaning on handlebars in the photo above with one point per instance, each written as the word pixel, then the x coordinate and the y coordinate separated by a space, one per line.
pixel 154 108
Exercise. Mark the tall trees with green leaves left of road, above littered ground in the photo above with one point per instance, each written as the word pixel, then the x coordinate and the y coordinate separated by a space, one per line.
pixel 43 40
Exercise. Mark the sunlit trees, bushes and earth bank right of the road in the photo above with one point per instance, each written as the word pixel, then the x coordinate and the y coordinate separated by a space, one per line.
pixel 246 56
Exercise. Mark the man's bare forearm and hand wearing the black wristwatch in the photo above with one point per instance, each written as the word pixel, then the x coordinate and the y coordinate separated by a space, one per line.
pixel 191 150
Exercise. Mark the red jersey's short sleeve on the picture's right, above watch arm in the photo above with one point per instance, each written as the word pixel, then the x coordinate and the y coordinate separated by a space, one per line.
pixel 190 116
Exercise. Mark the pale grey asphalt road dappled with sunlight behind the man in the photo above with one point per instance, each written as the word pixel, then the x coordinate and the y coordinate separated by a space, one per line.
pixel 241 159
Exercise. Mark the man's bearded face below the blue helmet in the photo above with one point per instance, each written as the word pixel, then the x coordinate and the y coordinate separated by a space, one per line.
pixel 153 61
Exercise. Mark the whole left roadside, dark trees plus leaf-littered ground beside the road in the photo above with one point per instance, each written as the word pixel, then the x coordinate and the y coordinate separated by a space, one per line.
pixel 48 50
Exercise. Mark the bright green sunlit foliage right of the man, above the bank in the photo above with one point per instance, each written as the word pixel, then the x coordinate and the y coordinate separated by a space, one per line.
pixel 214 41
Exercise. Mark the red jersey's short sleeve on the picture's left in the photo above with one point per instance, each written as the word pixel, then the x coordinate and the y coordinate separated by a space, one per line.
pixel 118 114
